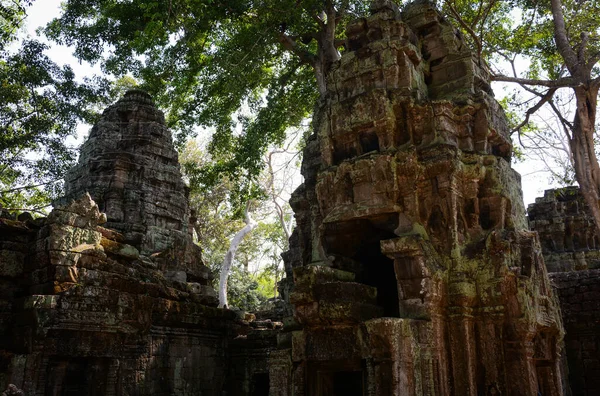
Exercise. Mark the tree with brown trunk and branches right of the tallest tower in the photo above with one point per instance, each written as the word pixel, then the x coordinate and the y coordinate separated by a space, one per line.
pixel 560 42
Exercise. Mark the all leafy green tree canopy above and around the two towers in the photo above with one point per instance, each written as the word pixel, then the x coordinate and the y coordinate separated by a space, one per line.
pixel 250 70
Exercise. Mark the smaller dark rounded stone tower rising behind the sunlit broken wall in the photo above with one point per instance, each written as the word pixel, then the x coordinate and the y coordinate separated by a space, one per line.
pixel 129 167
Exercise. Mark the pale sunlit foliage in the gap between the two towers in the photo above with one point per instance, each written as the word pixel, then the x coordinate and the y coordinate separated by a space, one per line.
pixel 254 271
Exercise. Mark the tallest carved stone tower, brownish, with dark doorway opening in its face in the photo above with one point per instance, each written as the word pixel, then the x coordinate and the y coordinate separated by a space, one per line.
pixel 411 270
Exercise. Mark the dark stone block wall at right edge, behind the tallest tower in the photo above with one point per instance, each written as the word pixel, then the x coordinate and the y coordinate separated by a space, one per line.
pixel 572 255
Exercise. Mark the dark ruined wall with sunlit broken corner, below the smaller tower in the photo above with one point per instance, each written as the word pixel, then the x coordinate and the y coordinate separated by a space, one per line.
pixel 91 318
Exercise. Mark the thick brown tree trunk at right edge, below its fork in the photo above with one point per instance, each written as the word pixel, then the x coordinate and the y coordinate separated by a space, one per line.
pixel 587 171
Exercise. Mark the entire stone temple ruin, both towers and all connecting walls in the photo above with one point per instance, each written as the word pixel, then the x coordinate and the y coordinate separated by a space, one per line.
pixel 412 270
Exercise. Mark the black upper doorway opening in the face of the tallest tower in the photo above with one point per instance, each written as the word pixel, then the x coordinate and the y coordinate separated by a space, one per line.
pixel 355 245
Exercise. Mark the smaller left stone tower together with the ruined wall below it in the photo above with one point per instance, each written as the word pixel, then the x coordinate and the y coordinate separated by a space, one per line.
pixel 108 295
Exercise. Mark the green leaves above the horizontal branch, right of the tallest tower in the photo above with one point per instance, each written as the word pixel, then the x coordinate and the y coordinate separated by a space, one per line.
pixel 523 29
